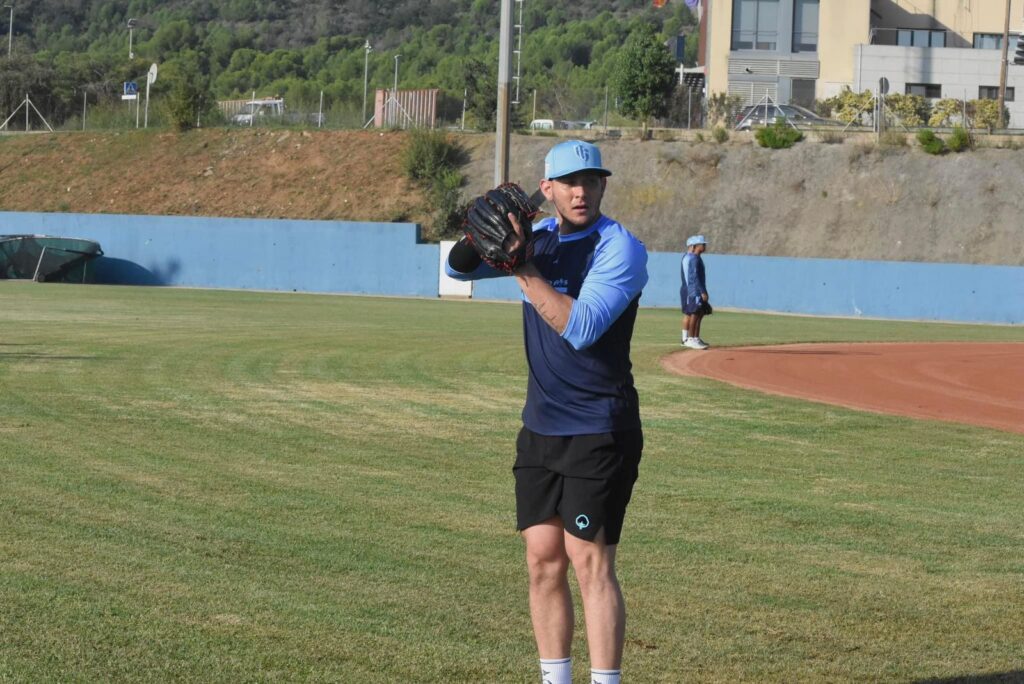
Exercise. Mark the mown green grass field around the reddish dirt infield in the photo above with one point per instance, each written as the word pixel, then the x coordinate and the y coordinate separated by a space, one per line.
pixel 232 487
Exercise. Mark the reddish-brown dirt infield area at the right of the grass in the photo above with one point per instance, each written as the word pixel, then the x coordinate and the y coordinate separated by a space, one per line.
pixel 974 383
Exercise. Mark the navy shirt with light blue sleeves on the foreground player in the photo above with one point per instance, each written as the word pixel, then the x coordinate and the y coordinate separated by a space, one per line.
pixel 581 381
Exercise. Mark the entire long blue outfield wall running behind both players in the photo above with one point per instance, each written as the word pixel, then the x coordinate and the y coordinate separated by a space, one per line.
pixel 389 260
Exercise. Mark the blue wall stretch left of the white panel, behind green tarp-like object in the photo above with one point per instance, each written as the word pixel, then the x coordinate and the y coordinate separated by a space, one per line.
pixel 239 253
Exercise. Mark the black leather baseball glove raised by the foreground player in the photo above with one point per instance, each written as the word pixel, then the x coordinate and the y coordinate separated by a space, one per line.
pixel 491 232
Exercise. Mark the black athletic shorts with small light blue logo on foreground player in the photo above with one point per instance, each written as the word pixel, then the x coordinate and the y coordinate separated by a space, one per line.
pixel 587 481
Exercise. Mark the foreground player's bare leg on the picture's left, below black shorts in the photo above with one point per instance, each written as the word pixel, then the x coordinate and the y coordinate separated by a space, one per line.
pixel 550 600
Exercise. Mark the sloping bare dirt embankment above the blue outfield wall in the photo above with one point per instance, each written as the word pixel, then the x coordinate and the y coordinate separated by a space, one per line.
pixel 850 201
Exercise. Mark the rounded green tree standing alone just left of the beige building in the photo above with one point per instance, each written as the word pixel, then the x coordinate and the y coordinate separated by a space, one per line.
pixel 645 76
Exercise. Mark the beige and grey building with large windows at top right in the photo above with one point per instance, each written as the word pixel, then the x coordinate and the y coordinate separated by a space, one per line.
pixel 802 51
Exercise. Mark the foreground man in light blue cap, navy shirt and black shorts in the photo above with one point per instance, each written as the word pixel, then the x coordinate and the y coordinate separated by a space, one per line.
pixel 578 454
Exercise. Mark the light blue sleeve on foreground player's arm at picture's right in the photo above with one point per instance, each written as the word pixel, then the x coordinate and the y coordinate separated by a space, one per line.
pixel 617 277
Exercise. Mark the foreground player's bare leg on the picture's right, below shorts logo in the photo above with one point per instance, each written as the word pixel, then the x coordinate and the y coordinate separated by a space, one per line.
pixel 605 609
